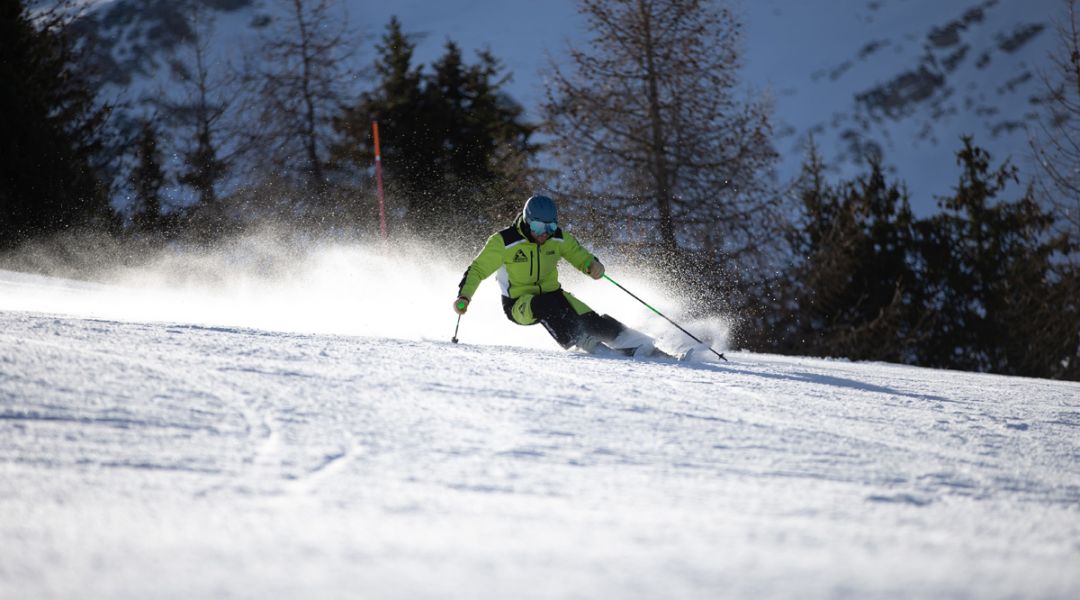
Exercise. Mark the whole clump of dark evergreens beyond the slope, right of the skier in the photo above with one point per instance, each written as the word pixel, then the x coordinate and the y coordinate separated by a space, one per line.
pixel 984 285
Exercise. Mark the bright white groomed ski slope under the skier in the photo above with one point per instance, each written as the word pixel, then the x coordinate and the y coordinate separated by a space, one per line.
pixel 192 449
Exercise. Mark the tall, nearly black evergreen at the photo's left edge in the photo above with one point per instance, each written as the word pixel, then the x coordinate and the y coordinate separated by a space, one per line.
pixel 49 132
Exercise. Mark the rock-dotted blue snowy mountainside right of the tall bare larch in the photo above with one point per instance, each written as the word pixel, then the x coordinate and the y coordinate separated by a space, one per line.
pixel 904 80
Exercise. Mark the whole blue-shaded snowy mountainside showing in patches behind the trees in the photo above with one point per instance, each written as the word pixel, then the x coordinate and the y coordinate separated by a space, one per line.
pixel 903 79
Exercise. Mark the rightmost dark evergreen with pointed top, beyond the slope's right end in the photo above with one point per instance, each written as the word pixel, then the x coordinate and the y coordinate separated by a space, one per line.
pixel 1002 297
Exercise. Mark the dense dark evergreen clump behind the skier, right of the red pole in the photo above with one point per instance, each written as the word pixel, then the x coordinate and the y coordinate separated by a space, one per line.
pixel 455 146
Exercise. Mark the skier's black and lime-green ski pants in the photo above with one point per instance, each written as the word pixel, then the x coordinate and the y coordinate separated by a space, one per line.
pixel 556 312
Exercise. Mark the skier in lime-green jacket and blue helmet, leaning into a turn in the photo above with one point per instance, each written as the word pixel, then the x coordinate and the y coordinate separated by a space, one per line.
pixel 525 256
